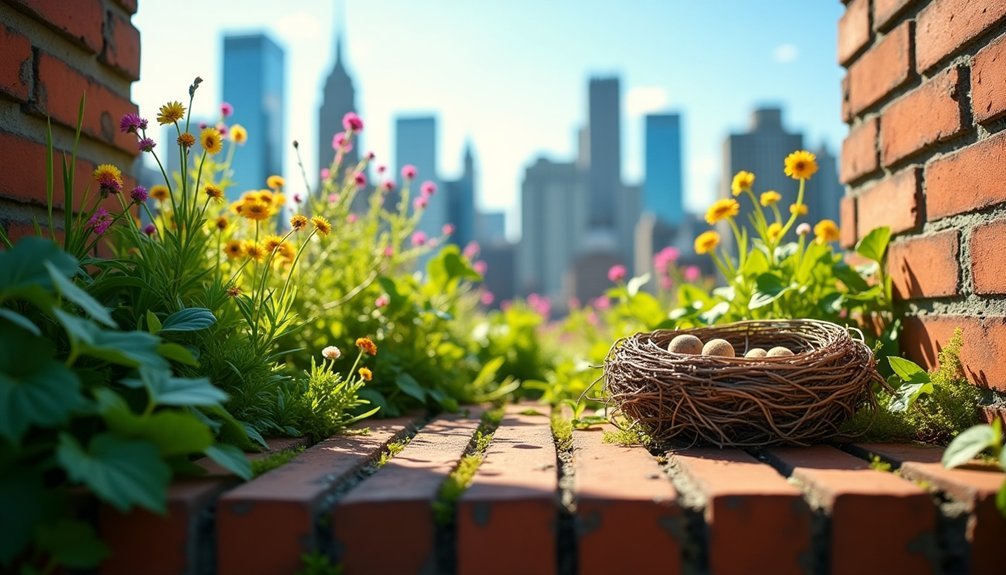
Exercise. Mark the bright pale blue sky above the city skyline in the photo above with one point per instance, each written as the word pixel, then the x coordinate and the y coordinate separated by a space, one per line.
pixel 513 76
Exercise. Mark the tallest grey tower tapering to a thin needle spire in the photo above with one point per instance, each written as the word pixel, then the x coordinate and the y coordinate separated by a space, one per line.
pixel 339 99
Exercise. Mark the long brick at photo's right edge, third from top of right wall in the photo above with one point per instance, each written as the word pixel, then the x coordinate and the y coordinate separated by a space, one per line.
pixel 967 180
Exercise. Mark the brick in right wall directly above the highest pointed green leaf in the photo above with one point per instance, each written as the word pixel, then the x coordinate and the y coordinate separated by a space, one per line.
pixel 893 203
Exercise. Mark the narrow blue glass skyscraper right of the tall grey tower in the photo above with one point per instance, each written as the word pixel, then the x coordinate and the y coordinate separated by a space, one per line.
pixel 663 195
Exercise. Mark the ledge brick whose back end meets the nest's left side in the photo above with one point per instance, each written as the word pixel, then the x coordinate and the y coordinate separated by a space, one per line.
pixel 626 510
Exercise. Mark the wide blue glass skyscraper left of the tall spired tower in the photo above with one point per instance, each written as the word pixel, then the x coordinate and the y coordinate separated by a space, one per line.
pixel 255 81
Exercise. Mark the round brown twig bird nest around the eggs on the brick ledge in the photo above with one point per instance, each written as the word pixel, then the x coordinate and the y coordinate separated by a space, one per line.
pixel 737 402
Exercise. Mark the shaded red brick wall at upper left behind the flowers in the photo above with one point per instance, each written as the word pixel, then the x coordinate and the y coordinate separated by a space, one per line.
pixel 52 54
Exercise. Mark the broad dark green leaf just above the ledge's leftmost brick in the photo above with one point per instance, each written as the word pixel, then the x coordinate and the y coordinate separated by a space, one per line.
pixel 124 473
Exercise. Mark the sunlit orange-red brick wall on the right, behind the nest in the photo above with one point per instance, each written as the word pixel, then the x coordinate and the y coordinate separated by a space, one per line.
pixel 925 98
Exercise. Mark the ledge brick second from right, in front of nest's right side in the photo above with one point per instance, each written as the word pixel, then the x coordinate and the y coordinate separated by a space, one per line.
pixel 854 496
